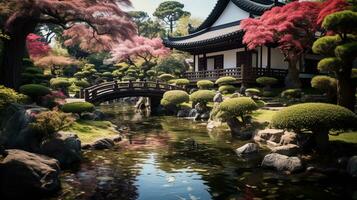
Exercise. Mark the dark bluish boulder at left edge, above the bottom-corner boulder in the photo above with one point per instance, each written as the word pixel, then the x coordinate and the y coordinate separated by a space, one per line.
pixel 15 132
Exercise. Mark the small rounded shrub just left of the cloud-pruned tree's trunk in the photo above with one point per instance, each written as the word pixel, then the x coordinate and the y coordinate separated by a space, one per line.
pixel 325 84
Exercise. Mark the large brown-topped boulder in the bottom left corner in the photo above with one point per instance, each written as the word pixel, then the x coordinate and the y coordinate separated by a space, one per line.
pixel 24 175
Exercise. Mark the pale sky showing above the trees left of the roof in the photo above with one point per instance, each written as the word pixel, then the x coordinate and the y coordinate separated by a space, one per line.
pixel 197 8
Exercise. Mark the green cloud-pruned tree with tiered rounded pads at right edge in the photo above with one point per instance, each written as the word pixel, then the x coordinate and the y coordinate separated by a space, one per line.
pixel 340 51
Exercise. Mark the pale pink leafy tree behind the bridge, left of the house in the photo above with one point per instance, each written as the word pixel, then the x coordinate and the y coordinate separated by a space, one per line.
pixel 139 48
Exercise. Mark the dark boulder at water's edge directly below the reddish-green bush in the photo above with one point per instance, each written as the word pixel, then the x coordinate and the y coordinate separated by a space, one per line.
pixel 65 147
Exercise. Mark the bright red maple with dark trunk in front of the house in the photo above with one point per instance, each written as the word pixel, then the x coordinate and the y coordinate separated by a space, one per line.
pixel 292 27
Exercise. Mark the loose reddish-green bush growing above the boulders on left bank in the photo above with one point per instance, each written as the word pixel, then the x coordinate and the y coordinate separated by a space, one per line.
pixel 50 122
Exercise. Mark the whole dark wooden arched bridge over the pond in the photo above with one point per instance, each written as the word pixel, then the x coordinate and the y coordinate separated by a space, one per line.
pixel 114 90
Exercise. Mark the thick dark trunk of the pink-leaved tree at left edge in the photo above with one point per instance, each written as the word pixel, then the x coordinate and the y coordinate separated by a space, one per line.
pixel 14 52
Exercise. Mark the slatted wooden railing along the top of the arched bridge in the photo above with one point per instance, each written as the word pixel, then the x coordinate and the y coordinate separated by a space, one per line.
pixel 95 91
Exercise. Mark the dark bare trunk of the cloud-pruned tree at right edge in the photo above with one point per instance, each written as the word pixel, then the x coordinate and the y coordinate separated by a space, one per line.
pixel 346 91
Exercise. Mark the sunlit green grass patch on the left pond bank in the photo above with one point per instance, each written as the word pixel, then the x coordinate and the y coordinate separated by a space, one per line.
pixel 90 131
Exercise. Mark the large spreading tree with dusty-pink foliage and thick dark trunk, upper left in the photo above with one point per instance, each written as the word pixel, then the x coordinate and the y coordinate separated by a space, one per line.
pixel 88 23
